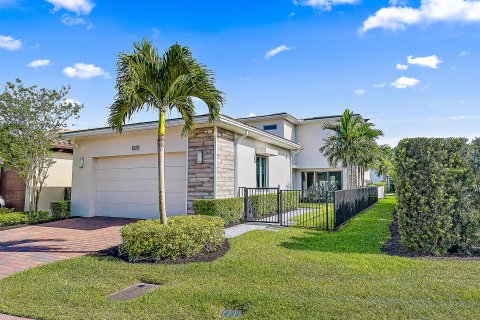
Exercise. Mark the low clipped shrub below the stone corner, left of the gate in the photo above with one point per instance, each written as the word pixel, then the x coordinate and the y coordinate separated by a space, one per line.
pixel 230 209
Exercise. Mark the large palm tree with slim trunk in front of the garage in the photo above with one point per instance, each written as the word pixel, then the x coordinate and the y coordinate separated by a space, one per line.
pixel 164 83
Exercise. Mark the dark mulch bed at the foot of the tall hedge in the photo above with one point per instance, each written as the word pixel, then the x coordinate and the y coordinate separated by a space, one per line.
pixel 393 247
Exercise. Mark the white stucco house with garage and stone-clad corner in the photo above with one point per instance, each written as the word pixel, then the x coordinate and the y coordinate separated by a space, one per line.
pixel 116 174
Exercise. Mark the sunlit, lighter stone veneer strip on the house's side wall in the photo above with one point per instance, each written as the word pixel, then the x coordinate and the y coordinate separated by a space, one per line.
pixel 225 164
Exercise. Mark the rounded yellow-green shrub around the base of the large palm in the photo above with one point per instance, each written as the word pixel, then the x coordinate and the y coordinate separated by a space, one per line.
pixel 183 237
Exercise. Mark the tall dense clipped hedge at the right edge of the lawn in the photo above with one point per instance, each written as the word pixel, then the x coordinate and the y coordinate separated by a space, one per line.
pixel 436 213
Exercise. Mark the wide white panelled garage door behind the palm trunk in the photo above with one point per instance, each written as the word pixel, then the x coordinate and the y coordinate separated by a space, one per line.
pixel 128 186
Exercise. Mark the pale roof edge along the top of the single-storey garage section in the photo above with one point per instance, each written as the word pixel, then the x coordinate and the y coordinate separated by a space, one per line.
pixel 222 121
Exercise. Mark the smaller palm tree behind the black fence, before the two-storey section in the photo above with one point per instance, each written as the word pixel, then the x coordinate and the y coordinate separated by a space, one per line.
pixel 353 144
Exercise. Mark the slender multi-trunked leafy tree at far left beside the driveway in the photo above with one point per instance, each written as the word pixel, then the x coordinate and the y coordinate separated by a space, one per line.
pixel 31 121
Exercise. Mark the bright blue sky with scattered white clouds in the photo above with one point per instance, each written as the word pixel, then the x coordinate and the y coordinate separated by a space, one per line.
pixel 413 67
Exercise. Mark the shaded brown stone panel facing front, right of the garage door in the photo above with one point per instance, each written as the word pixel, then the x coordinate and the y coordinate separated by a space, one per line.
pixel 201 177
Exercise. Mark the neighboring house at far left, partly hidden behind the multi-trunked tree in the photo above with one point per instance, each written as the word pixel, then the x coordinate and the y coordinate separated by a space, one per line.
pixel 57 184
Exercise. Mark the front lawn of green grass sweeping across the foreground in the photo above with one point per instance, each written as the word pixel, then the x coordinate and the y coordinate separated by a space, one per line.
pixel 291 274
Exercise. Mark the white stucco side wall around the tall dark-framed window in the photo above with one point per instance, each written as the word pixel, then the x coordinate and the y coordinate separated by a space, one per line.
pixel 278 165
